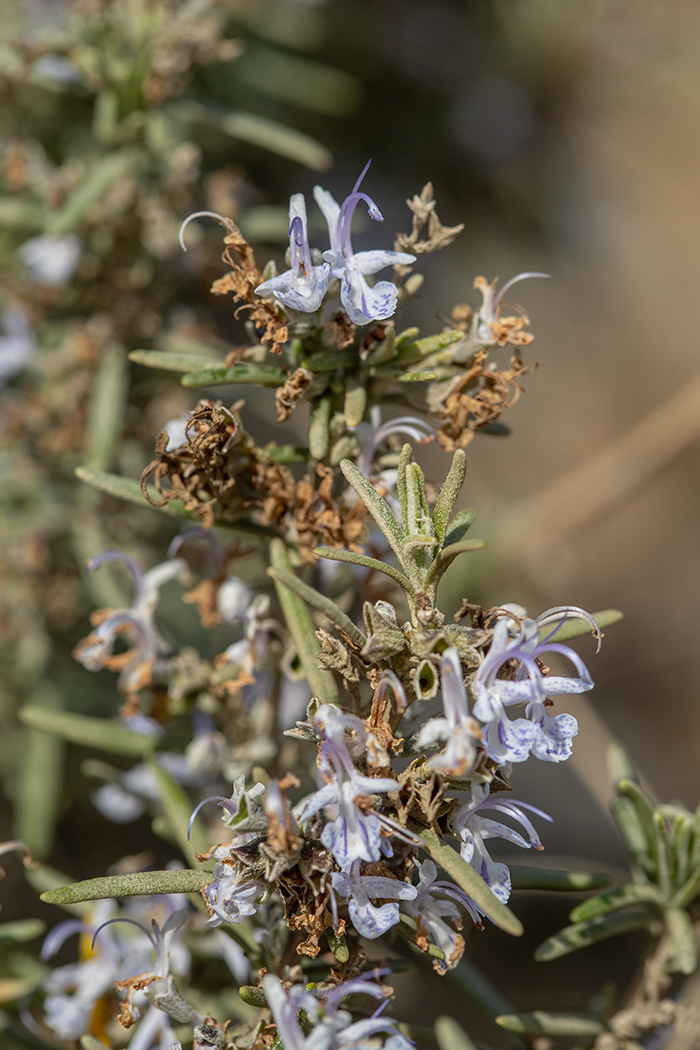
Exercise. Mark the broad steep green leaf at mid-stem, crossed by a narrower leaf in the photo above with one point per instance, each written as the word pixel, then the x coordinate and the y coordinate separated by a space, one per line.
pixel 301 624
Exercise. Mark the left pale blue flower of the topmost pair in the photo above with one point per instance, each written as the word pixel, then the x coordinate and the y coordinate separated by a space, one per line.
pixel 305 285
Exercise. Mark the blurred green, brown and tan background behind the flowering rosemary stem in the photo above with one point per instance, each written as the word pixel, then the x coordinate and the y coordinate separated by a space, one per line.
pixel 565 138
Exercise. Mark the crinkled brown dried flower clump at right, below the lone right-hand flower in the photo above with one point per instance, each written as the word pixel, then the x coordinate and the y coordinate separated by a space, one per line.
pixel 478 397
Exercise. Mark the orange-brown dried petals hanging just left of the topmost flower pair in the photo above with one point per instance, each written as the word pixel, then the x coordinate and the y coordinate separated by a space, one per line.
pixel 242 282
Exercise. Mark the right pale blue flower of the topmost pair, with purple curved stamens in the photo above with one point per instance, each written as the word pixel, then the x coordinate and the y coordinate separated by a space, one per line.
pixel 362 303
